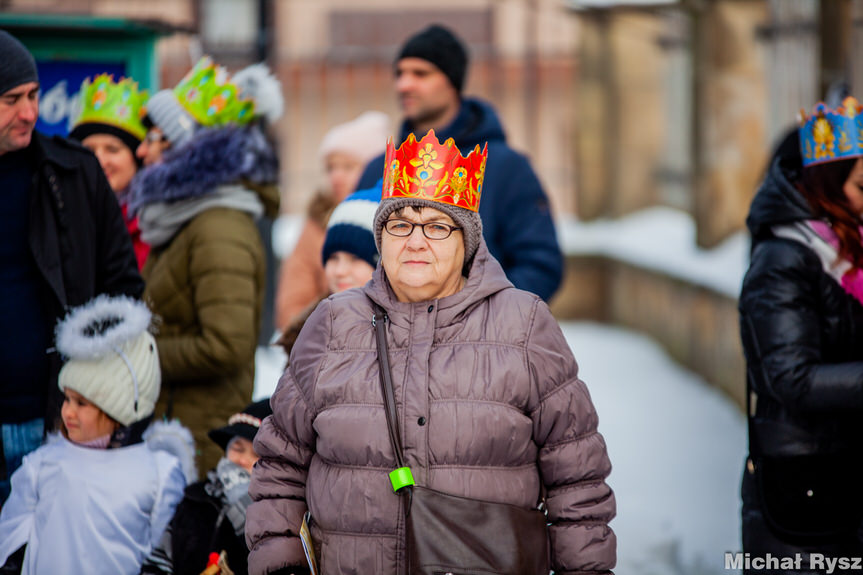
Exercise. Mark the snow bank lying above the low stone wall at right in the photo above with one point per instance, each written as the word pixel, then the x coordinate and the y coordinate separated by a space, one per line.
pixel 662 239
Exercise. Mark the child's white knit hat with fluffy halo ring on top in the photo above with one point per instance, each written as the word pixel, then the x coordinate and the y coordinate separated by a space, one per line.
pixel 113 360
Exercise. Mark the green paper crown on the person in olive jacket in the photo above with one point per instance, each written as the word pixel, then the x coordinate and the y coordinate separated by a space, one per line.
pixel 211 98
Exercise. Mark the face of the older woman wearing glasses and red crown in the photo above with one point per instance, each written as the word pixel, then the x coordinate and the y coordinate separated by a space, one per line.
pixel 418 268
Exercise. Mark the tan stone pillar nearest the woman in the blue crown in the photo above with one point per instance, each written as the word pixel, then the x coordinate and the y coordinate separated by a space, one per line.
pixel 731 107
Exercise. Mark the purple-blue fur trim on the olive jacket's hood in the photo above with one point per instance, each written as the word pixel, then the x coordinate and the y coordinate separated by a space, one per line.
pixel 215 157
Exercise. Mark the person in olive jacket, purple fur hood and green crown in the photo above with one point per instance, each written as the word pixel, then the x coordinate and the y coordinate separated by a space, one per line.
pixel 197 200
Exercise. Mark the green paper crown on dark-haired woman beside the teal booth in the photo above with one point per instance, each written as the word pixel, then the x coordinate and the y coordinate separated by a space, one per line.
pixel 117 104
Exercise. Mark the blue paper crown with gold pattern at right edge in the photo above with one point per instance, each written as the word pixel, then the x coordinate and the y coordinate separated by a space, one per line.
pixel 829 135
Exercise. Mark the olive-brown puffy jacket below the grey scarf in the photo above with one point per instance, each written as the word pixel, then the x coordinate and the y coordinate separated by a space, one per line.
pixel 207 288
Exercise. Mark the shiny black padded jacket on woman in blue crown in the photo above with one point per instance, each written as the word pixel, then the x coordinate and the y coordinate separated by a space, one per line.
pixel 802 333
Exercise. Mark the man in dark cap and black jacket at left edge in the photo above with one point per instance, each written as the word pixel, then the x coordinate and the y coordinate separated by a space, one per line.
pixel 62 242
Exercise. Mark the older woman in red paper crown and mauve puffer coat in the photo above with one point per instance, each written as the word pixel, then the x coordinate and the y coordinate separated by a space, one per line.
pixel 487 392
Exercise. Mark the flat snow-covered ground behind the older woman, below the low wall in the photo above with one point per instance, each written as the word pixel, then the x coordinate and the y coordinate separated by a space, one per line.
pixel 676 444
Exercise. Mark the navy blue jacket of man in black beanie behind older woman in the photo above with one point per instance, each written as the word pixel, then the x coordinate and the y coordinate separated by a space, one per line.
pixel 516 218
